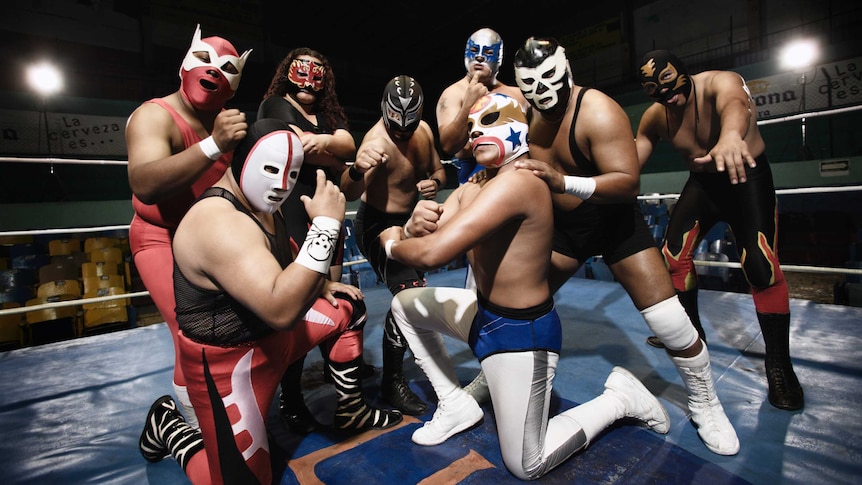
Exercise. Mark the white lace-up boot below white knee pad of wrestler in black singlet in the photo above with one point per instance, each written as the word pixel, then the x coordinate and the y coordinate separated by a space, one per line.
pixel 707 413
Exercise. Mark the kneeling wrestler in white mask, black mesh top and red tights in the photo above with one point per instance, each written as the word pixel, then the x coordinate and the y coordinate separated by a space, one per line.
pixel 247 309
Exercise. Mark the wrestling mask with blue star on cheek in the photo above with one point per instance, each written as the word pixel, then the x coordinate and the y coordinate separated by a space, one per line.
pixel 497 120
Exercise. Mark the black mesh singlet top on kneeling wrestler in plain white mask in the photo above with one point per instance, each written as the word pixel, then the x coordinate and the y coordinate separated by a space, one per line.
pixel 214 317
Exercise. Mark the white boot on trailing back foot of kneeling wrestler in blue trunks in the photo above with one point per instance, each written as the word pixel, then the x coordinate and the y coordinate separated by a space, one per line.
pixel 638 401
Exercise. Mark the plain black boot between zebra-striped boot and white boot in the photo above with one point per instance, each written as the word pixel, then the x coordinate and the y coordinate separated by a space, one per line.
pixel 393 385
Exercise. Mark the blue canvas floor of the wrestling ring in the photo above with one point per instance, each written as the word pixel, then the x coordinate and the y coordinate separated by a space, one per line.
pixel 72 412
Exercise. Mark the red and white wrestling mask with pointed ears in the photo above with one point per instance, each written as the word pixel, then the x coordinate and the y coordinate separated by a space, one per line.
pixel 210 72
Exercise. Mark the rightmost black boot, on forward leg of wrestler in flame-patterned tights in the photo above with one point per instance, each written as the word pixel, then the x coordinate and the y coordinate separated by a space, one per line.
pixel 785 392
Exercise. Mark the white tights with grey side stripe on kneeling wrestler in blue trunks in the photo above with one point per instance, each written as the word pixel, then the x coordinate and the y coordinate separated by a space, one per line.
pixel 520 383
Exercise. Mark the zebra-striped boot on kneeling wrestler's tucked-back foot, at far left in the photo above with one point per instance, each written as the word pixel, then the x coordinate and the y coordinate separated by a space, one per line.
pixel 167 433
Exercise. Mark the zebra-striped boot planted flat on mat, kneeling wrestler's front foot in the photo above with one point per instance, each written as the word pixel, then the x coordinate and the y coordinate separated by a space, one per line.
pixel 352 413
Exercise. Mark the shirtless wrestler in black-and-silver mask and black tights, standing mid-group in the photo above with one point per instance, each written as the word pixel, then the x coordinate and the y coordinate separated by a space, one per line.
pixel 396 164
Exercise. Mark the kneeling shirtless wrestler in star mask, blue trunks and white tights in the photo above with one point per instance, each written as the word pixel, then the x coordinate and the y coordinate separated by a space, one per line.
pixel 511 323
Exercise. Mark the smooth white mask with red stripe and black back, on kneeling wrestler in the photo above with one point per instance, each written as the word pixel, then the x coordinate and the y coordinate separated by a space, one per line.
pixel 266 163
